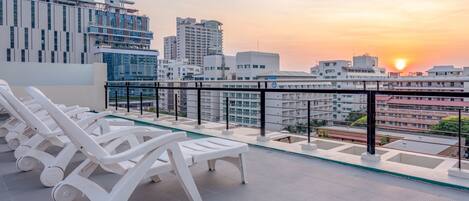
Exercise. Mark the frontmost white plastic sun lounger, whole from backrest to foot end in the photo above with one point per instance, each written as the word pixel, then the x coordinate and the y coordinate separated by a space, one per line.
pixel 192 152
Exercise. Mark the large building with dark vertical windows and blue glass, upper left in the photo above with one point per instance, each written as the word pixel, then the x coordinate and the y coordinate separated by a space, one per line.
pixel 80 32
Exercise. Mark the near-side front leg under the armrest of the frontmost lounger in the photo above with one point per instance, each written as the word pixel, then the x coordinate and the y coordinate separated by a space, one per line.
pixel 183 174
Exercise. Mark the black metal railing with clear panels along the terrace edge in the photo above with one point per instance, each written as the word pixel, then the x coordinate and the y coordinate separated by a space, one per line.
pixel 298 109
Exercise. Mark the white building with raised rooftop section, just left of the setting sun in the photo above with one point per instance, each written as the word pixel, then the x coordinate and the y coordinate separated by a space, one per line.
pixel 363 67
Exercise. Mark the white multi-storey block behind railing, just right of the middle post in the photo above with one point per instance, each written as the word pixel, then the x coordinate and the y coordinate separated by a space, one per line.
pixel 289 109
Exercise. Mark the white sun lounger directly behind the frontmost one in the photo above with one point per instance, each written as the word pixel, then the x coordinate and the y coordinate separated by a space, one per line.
pixel 34 150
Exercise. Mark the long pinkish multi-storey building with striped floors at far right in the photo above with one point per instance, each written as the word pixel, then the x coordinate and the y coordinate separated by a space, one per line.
pixel 410 113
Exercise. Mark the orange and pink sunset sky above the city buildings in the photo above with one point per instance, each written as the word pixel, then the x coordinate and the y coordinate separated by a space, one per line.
pixel 423 32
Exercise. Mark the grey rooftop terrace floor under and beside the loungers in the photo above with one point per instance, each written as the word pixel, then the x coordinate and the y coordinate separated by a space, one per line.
pixel 273 176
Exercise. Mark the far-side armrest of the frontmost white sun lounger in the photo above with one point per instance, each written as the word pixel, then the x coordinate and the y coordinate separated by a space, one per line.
pixel 133 131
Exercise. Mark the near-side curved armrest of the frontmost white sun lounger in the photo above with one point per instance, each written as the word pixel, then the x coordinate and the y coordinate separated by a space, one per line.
pixel 143 148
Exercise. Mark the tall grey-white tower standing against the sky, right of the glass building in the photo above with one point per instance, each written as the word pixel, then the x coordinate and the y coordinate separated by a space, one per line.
pixel 197 40
